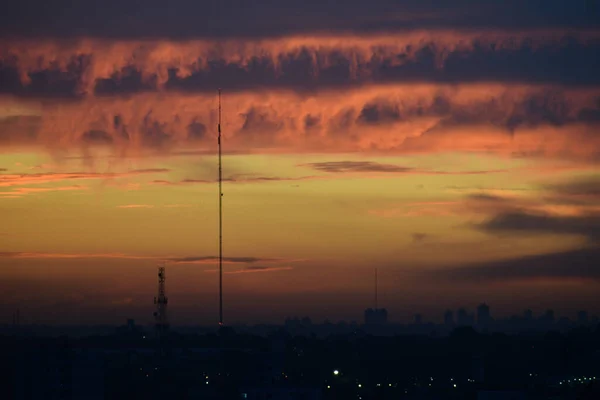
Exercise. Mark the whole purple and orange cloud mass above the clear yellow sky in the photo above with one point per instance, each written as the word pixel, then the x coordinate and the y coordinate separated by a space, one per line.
pixel 301 77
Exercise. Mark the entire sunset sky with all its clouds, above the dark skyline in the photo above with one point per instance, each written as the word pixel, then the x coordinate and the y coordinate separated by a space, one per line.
pixel 453 145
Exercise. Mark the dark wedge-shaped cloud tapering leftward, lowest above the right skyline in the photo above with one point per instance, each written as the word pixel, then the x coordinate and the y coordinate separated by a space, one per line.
pixel 577 264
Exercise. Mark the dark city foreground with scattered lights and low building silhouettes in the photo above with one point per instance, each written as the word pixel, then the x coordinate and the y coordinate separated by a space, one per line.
pixel 467 357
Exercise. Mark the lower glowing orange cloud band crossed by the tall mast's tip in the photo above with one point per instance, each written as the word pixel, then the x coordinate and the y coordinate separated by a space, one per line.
pixel 413 118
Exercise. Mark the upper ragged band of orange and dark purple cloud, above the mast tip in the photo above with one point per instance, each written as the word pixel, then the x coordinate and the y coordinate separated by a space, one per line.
pixel 84 66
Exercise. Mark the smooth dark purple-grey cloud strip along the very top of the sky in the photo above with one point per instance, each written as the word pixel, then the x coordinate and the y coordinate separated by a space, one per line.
pixel 185 19
